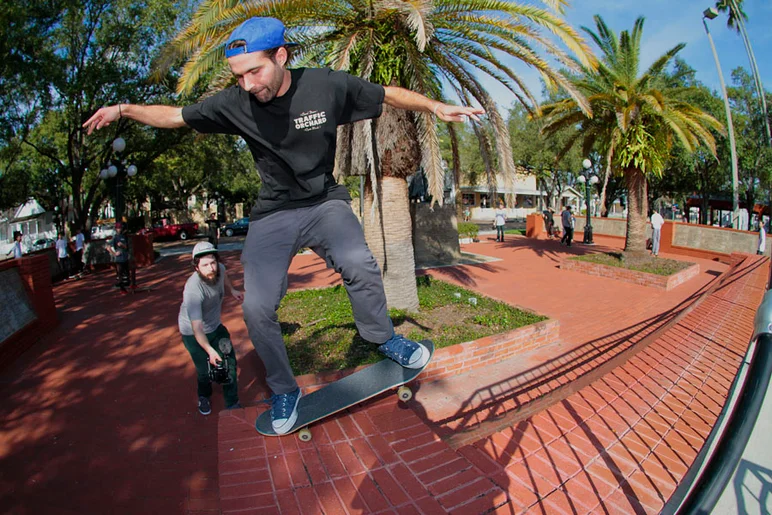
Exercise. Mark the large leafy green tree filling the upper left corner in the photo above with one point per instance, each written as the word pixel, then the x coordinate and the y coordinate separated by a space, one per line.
pixel 87 53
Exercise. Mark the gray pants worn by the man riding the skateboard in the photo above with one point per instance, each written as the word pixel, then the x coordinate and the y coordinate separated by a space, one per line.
pixel 332 231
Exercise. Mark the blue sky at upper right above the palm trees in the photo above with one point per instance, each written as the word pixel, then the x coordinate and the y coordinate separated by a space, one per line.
pixel 669 22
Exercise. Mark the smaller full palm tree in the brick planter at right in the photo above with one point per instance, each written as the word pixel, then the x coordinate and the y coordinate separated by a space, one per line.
pixel 635 117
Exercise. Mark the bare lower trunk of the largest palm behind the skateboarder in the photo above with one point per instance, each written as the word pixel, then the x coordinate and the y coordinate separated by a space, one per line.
pixel 389 235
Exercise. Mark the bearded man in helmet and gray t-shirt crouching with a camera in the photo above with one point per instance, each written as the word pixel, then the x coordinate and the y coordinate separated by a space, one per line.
pixel 203 334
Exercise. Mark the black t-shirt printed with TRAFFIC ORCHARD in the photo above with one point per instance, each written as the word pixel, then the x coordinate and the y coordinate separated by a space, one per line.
pixel 292 137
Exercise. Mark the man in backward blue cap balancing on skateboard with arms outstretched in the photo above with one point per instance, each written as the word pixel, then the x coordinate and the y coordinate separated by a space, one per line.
pixel 289 119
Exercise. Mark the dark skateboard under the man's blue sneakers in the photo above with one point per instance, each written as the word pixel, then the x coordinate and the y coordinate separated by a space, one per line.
pixel 347 392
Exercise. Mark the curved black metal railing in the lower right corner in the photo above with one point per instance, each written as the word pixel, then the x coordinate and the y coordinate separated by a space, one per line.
pixel 702 486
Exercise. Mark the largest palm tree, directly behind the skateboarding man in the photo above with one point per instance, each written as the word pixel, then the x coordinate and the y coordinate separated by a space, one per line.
pixel 416 44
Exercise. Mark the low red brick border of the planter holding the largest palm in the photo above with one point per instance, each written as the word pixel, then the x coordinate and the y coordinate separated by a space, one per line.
pixel 463 357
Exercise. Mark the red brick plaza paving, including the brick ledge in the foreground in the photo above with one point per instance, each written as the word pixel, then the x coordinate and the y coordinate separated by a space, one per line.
pixel 100 416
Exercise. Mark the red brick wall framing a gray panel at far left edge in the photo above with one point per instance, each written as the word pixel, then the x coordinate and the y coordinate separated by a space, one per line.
pixel 36 278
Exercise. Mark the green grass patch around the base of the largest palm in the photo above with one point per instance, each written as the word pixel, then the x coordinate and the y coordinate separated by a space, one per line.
pixel 319 331
